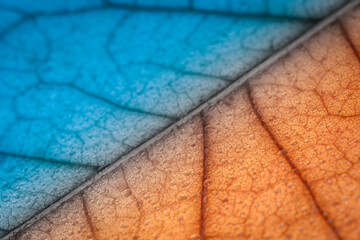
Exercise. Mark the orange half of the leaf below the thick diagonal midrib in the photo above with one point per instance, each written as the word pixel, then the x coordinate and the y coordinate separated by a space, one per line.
pixel 277 158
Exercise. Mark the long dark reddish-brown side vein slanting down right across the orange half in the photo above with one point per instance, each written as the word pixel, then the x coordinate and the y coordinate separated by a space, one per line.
pixel 290 162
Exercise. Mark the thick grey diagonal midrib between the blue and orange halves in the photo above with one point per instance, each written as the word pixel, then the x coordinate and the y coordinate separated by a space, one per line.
pixel 212 100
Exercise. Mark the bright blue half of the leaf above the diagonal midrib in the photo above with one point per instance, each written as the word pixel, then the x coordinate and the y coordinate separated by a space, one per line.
pixel 84 82
